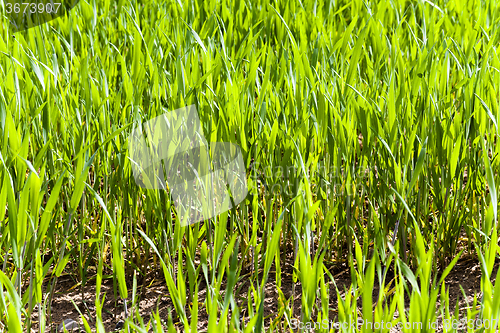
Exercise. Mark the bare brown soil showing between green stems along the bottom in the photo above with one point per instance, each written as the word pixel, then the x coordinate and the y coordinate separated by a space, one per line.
pixel 152 295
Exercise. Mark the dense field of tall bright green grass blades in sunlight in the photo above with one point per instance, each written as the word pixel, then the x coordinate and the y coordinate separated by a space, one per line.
pixel 368 132
